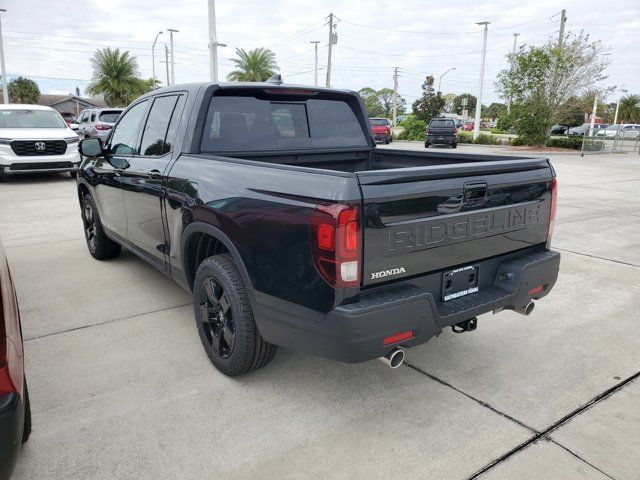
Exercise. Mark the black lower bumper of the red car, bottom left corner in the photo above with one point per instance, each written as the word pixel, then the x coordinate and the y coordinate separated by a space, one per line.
pixel 11 425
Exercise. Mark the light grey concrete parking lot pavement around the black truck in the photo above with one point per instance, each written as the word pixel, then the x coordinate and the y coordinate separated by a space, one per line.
pixel 121 387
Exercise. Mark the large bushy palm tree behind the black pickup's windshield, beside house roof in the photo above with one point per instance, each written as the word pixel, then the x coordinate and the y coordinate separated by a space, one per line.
pixel 115 77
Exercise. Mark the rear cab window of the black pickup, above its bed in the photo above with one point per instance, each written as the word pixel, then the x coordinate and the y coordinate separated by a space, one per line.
pixel 239 123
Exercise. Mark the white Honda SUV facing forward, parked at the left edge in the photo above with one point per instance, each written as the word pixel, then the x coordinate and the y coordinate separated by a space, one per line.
pixel 35 139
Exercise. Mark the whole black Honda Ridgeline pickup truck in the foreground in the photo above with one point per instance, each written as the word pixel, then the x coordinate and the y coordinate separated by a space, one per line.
pixel 272 204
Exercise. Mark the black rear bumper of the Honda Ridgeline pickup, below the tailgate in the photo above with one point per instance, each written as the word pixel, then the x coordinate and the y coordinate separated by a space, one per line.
pixel 355 332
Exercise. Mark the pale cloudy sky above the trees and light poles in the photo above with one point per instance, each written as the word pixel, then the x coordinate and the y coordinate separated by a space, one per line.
pixel 52 42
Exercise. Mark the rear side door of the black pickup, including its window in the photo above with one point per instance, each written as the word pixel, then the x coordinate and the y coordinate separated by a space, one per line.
pixel 144 189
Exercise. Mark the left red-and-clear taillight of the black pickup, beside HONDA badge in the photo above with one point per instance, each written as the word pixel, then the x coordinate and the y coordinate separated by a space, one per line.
pixel 336 244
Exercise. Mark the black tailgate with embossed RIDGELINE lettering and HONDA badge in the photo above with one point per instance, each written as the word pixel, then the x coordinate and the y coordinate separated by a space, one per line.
pixel 418 220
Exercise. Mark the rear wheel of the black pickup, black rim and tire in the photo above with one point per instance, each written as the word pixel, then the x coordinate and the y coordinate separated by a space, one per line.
pixel 224 318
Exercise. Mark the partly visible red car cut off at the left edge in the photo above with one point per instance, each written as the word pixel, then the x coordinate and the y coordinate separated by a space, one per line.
pixel 15 410
